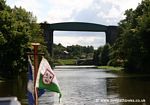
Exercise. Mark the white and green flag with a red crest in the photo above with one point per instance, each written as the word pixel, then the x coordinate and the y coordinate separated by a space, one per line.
pixel 46 78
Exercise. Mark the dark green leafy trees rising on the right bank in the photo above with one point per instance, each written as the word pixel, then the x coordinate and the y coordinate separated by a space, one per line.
pixel 132 48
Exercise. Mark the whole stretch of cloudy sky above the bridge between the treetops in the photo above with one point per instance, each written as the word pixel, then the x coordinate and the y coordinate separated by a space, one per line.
pixel 97 11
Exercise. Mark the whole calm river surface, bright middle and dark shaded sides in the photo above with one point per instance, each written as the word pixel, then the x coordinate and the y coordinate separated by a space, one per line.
pixel 82 85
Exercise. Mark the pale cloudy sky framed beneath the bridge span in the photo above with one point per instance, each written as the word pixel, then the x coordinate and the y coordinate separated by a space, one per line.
pixel 81 39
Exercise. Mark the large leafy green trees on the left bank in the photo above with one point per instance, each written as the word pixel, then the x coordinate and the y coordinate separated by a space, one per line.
pixel 18 28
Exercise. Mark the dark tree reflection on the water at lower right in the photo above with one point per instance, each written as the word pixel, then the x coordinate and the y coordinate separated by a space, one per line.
pixel 129 88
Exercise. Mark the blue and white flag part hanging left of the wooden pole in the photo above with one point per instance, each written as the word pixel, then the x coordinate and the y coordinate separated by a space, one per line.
pixel 30 87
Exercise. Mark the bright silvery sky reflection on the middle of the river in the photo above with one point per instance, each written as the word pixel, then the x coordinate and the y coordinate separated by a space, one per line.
pixel 83 86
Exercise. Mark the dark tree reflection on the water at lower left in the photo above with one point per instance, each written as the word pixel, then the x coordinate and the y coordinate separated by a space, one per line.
pixel 15 87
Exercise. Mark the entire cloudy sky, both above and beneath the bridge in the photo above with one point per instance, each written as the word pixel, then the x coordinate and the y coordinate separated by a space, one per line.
pixel 105 12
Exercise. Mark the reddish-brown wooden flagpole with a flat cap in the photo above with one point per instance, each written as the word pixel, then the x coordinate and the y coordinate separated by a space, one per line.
pixel 35 45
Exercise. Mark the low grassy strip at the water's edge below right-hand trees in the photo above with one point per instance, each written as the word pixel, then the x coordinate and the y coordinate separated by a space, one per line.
pixel 111 68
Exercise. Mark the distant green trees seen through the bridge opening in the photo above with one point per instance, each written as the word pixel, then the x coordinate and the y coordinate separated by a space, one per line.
pixel 73 52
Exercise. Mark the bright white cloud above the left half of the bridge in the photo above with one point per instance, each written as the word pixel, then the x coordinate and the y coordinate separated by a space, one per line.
pixel 65 10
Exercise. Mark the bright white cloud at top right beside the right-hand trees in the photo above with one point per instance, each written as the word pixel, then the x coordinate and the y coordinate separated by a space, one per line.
pixel 118 7
